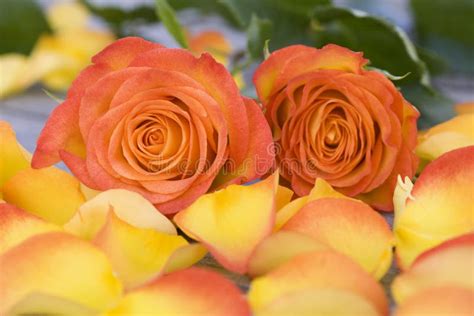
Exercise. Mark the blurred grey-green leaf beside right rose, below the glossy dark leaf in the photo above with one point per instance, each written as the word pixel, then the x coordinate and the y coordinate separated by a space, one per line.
pixel 433 106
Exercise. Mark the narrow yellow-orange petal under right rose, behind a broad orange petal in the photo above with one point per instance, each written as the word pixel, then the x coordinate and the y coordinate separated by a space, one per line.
pixel 321 189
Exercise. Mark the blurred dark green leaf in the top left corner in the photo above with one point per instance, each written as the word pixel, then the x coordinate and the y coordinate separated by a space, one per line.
pixel 21 24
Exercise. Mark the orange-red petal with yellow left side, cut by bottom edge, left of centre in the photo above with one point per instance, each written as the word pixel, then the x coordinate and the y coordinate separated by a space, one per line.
pixel 189 292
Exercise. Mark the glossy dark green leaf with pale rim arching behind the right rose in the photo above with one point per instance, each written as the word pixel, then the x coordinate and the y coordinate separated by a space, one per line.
pixel 384 44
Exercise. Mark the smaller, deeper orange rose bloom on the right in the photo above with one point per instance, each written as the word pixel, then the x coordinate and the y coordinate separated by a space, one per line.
pixel 333 119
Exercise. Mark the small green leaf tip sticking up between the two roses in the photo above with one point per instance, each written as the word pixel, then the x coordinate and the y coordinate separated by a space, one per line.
pixel 258 32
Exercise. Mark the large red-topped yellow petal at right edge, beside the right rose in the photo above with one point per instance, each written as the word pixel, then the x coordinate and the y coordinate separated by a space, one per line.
pixel 438 208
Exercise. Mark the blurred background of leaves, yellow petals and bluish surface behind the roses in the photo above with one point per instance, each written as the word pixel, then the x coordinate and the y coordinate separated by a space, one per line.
pixel 425 46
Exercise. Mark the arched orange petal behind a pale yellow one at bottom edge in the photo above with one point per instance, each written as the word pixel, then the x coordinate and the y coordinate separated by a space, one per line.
pixel 314 271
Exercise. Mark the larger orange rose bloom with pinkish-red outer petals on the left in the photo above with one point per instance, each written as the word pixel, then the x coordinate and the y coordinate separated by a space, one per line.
pixel 157 121
